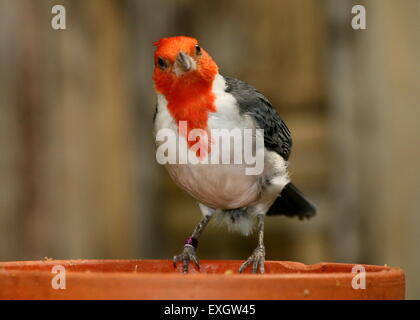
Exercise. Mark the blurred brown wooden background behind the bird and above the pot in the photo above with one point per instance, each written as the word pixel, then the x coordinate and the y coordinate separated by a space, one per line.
pixel 78 177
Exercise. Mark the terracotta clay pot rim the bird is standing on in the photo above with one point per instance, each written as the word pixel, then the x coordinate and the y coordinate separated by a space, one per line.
pixel 157 279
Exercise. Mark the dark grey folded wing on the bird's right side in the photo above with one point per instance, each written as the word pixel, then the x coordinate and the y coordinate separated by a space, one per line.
pixel 277 136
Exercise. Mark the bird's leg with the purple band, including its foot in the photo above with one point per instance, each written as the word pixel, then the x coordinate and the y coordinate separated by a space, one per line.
pixel 191 244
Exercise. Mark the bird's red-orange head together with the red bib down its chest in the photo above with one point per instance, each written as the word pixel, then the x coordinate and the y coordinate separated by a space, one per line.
pixel 184 74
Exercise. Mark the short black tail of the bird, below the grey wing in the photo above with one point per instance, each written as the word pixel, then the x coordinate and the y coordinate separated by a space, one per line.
pixel 292 203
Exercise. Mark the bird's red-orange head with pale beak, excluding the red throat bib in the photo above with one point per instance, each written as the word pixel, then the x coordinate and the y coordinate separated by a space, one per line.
pixel 180 62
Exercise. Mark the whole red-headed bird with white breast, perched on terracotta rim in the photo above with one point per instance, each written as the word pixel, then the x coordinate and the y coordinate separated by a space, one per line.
pixel 191 91
